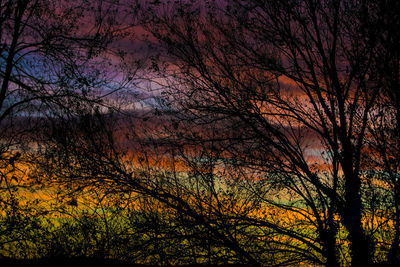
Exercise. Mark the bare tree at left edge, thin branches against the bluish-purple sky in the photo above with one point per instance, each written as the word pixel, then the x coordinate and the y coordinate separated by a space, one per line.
pixel 52 58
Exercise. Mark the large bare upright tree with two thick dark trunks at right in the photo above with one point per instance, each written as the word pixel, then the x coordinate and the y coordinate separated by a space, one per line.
pixel 287 71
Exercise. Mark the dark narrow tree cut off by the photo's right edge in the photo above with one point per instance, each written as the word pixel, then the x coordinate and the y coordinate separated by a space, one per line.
pixel 386 121
